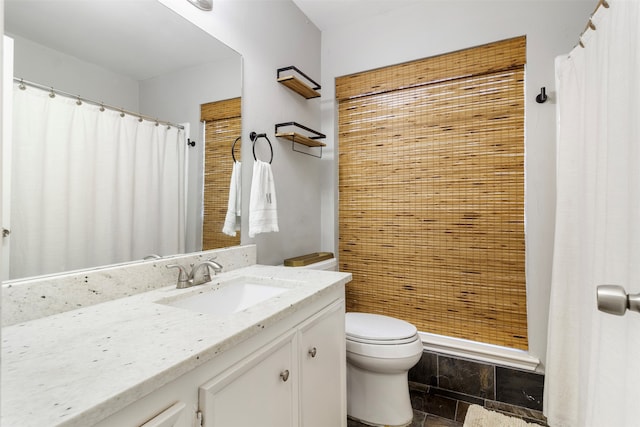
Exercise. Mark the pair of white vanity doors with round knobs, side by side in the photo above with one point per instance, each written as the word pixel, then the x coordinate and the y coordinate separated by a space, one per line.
pixel 296 380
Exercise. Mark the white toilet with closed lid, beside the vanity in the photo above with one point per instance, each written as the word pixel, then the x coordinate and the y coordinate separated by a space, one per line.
pixel 380 352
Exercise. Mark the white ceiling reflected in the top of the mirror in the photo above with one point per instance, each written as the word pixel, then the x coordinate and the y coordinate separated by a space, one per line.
pixel 140 39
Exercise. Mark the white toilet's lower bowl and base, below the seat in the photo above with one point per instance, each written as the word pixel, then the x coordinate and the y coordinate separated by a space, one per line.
pixel 378 399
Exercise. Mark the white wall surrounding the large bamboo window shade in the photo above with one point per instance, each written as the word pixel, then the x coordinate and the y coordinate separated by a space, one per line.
pixel 429 28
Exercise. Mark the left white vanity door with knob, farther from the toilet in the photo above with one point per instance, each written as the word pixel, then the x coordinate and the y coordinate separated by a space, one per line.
pixel 261 390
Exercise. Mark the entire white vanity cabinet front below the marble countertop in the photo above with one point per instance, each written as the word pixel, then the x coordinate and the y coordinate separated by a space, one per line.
pixel 291 374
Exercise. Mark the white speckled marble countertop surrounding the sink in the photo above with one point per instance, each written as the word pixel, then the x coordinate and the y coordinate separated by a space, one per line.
pixel 78 367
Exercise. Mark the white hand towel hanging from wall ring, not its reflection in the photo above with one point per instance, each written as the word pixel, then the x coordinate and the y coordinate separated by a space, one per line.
pixel 263 211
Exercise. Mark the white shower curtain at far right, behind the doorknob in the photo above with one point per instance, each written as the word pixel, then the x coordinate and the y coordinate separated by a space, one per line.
pixel 593 358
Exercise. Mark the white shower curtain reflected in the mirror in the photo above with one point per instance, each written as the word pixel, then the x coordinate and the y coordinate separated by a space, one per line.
pixel 90 187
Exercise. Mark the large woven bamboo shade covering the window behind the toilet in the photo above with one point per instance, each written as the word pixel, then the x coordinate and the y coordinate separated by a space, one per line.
pixel 432 192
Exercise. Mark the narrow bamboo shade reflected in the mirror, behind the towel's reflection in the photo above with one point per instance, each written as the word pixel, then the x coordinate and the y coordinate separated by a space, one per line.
pixel 222 127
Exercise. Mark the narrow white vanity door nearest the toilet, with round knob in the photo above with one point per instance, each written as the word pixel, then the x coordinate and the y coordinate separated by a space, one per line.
pixel 323 369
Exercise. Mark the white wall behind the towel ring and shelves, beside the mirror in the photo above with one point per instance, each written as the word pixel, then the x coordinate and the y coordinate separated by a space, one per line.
pixel 270 34
